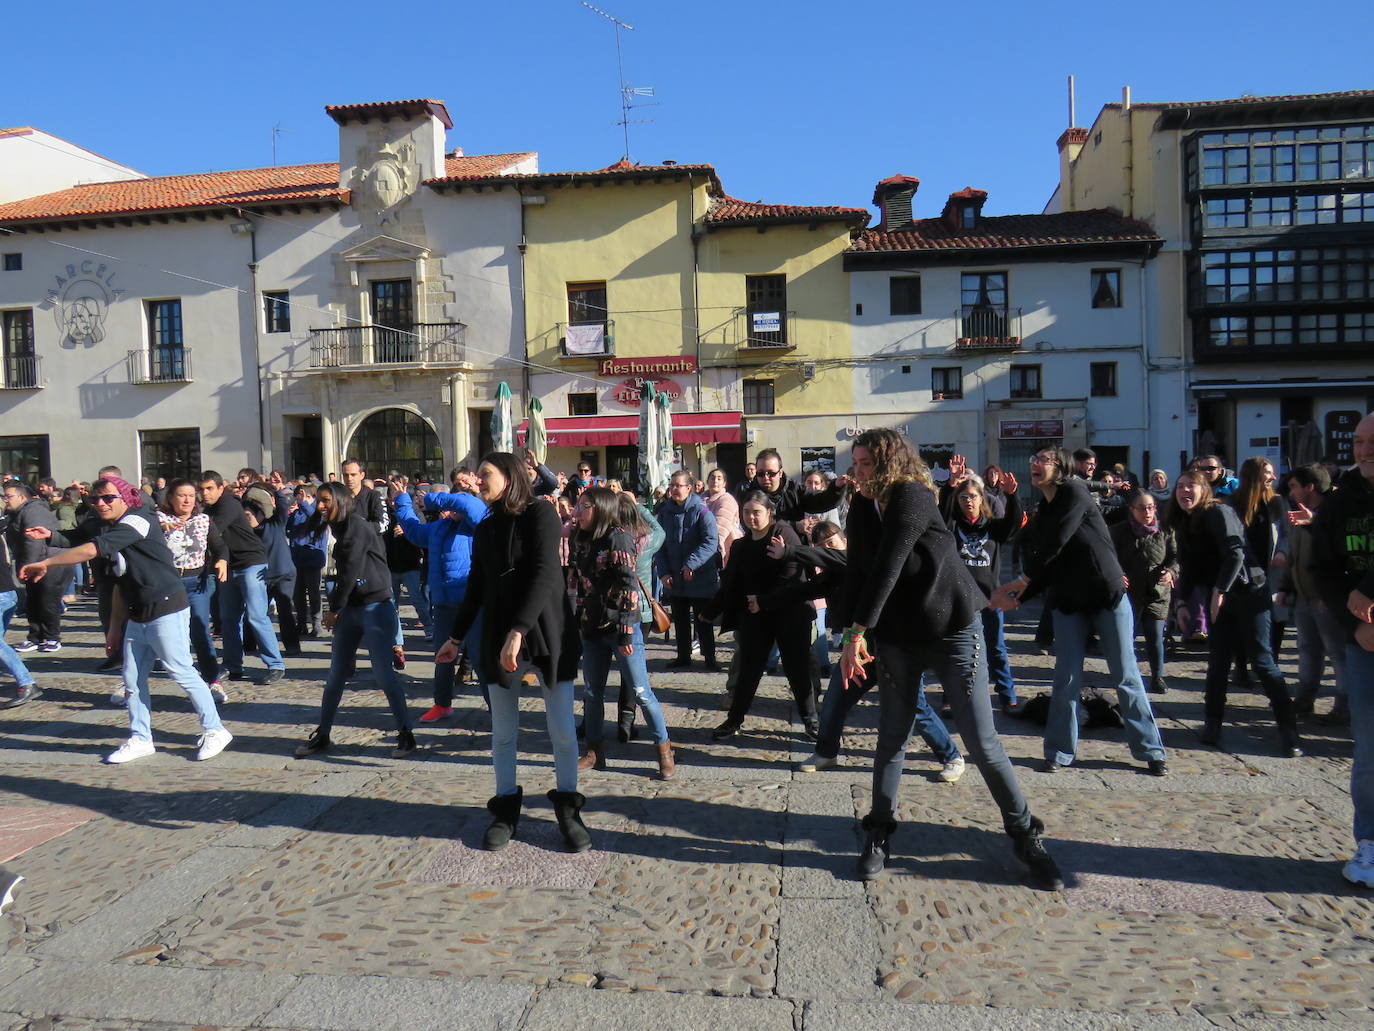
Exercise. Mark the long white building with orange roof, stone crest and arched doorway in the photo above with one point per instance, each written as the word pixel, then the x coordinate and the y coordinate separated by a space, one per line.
pixel 274 318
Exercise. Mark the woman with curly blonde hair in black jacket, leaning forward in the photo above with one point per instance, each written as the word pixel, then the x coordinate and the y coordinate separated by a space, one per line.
pixel 912 599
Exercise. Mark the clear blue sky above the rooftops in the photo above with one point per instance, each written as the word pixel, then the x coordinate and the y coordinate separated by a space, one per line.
pixel 798 102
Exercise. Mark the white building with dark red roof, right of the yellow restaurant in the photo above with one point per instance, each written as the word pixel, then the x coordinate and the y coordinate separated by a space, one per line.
pixel 994 336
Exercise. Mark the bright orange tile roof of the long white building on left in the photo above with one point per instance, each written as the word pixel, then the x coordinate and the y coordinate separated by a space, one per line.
pixel 254 186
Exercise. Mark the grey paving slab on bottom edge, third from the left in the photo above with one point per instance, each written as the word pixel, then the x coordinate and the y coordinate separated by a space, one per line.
pixel 578 1010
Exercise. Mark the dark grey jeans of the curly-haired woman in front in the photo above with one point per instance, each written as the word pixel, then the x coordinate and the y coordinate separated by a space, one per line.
pixel 962 672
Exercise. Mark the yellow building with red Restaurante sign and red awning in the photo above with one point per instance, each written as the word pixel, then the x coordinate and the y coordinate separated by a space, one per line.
pixel 653 274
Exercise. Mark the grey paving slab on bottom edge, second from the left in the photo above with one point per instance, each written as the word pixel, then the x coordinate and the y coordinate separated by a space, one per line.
pixel 399 1004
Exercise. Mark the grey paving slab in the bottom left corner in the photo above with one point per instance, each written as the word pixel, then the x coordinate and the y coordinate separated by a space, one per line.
pixel 146 993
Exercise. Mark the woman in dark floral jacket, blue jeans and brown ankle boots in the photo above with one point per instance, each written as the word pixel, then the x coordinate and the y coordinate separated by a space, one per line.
pixel 609 621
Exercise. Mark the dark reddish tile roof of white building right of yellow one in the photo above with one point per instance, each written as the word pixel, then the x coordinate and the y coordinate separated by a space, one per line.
pixel 1097 226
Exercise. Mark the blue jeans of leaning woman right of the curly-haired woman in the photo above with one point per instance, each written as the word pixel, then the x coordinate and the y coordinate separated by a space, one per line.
pixel 1116 632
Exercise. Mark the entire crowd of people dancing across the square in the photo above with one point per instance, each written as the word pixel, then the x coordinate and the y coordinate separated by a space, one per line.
pixel 523 579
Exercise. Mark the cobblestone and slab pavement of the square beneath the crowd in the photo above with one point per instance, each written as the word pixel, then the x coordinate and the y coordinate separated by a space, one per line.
pixel 350 891
